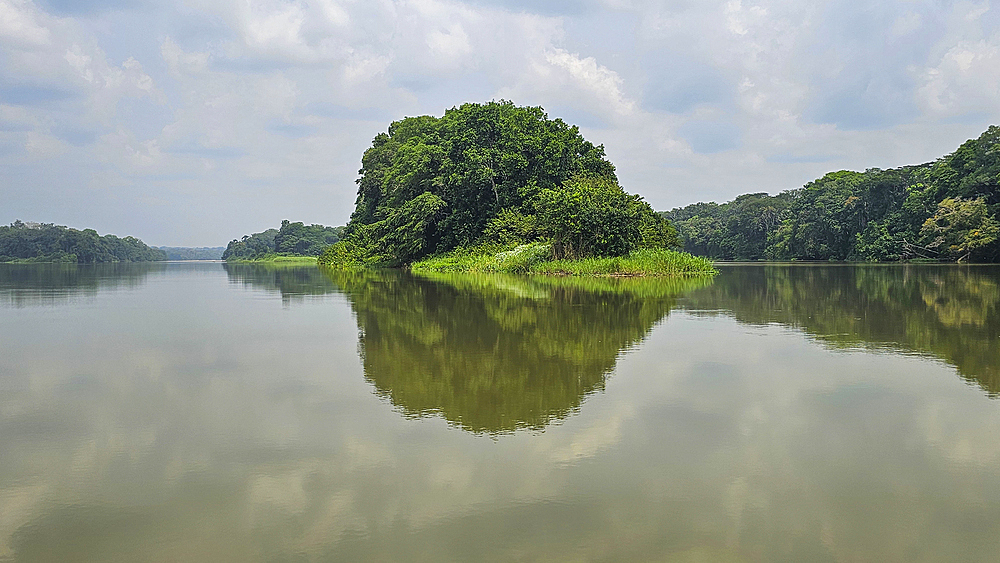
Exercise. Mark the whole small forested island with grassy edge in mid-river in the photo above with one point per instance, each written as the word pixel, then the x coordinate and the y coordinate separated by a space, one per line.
pixel 499 188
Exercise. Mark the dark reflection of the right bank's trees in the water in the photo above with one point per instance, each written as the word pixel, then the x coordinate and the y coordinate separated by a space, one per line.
pixel 952 312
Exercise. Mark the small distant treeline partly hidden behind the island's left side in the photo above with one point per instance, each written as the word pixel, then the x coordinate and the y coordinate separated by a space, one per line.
pixel 290 239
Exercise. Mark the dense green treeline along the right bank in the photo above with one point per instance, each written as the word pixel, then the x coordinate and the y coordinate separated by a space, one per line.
pixel 943 210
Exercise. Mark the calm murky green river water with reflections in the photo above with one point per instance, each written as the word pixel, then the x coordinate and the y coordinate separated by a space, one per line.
pixel 210 412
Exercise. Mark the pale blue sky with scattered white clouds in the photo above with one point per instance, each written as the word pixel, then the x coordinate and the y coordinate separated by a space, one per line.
pixel 194 122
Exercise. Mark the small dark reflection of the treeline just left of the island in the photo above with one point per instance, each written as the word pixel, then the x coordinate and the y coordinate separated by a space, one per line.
pixel 292 281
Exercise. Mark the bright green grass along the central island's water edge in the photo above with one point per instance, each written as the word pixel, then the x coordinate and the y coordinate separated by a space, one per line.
pixel 535 258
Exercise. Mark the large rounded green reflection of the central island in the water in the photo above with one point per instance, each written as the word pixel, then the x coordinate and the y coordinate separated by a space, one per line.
pixel 492 354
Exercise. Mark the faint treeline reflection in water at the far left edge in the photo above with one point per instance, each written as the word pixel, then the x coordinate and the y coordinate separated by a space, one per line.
pixel 27 285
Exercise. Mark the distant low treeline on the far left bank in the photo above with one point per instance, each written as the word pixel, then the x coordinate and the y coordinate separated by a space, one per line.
pixel 46 242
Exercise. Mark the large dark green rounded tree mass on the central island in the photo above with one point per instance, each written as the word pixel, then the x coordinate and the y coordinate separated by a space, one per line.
pixel 453 176
